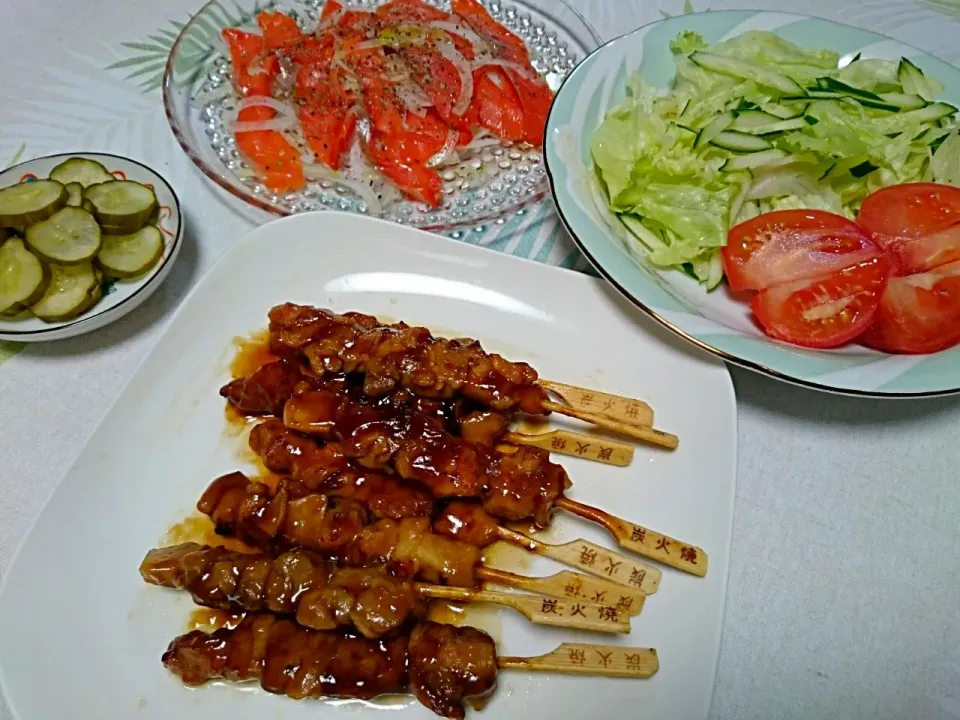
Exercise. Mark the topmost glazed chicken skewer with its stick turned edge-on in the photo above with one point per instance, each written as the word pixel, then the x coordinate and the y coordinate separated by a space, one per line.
pixel 391 356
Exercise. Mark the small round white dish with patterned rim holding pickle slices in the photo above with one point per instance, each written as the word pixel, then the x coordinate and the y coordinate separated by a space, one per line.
pixel 119 296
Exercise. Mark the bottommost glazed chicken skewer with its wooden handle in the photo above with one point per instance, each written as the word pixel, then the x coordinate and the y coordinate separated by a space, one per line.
pixel 442 665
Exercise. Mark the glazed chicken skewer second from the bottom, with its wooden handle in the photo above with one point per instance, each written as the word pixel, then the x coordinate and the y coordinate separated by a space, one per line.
pixel 323 597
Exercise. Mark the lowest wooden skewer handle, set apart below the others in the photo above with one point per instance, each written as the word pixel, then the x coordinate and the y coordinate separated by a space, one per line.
pixel 583 659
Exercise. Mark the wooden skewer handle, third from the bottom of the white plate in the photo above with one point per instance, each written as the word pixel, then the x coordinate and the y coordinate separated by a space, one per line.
pixel 568 584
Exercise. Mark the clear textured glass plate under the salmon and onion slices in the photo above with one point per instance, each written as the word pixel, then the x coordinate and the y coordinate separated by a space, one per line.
pixel 485 184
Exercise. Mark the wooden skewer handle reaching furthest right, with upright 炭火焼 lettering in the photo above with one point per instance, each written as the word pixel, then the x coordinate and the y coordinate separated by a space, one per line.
pixel 638 539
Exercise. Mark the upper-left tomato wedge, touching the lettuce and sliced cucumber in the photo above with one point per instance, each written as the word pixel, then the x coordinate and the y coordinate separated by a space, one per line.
pixel 790 245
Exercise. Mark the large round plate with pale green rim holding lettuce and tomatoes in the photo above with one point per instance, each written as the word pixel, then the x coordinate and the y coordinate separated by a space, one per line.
pixel 716 321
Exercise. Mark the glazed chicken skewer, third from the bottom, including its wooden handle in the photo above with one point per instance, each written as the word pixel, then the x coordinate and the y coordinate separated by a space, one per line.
pixel 289 516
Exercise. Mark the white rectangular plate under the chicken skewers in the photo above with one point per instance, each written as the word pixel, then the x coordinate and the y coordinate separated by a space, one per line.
pixel 81 635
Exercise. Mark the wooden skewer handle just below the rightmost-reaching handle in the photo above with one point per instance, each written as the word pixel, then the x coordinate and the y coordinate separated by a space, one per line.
pixel 591 559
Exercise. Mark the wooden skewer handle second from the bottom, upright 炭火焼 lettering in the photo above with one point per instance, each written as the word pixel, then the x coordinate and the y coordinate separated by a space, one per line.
pixel 540 610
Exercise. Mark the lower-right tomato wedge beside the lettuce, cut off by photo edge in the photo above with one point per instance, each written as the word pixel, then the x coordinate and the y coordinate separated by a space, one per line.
pixel 918 313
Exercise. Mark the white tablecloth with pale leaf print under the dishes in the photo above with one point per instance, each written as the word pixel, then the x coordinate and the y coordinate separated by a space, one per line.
pixel 843 594
